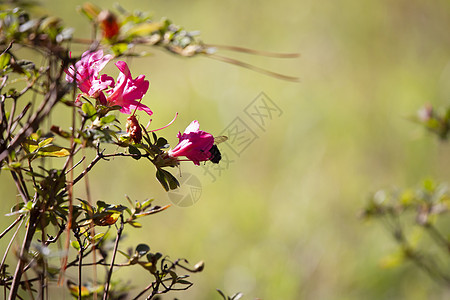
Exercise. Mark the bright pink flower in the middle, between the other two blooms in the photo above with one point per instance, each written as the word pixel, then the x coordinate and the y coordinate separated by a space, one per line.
pixel 127 91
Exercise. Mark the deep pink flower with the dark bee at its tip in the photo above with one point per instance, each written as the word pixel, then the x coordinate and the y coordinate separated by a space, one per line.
pixel 194 144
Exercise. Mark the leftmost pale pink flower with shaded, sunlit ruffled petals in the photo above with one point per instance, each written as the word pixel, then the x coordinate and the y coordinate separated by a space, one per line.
pixel 87 73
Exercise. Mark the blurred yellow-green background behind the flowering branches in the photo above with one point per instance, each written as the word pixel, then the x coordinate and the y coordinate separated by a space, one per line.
pixel 282 222
